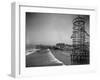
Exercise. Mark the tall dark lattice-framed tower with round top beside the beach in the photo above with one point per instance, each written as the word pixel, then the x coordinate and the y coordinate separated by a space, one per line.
pixel 79 53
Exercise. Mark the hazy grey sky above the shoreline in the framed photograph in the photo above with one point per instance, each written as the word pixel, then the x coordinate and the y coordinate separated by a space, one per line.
pixel 49 28
